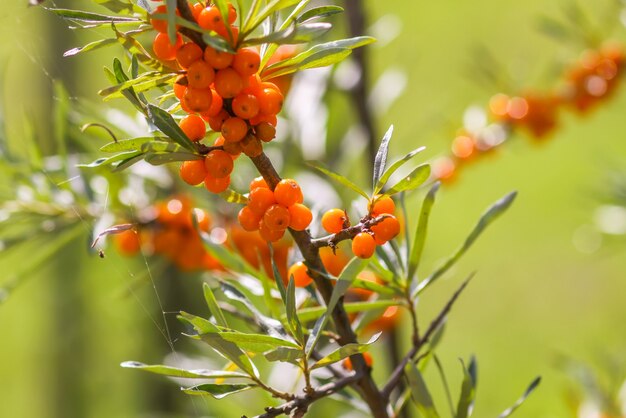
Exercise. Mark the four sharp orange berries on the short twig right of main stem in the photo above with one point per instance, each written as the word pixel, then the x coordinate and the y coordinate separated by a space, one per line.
pixel 382 230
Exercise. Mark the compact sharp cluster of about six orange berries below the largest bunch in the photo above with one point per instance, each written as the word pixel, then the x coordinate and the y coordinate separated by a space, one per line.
pixel 272 212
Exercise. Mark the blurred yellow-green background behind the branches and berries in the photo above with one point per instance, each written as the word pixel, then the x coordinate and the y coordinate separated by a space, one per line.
pixel 538 292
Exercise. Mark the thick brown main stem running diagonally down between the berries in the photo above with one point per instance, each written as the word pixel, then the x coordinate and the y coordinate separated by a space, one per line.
pixel 368 389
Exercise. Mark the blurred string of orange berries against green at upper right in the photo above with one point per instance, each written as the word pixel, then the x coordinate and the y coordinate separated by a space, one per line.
pixel 594 78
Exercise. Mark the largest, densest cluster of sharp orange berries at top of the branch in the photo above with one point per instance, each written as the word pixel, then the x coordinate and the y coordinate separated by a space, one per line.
pixel 222 89
